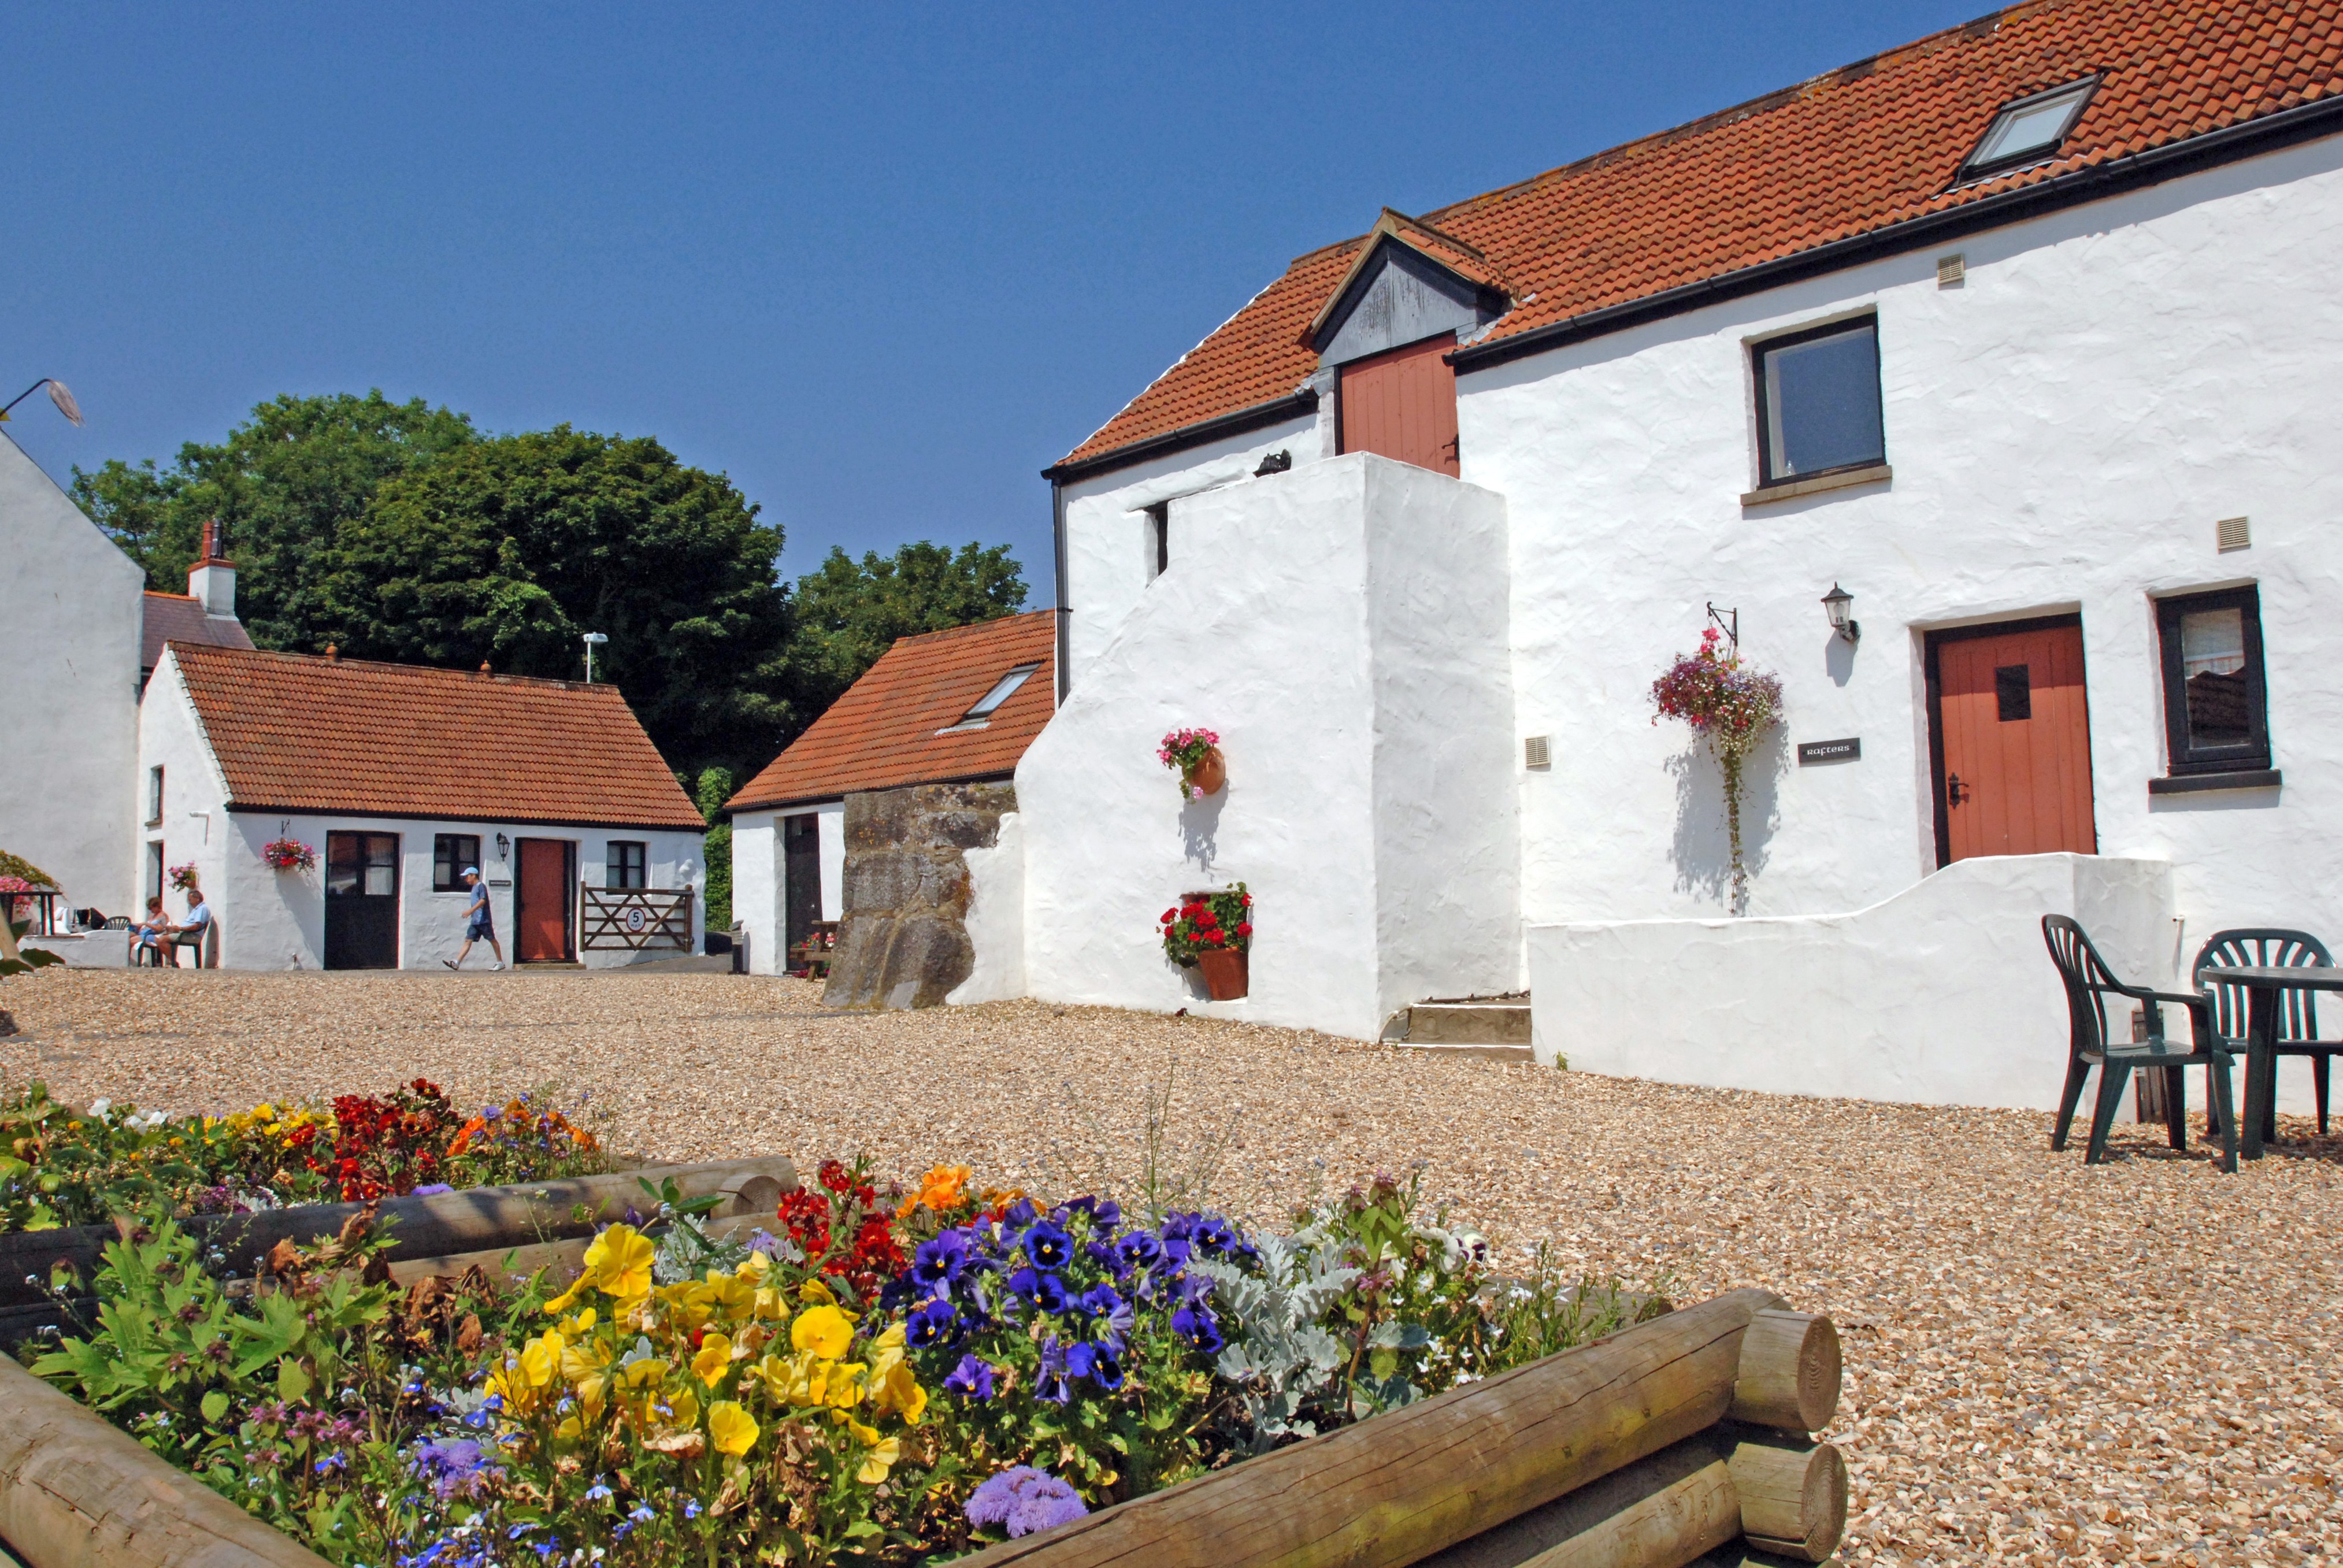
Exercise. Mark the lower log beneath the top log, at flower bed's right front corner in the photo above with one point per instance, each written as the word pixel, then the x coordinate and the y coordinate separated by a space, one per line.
pixel 1658 1513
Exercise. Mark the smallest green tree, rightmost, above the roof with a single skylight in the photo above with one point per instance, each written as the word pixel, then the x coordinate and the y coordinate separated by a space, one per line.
pixel 849 613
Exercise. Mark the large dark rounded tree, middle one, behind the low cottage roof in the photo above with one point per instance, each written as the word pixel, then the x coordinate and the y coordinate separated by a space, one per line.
pixel 512 547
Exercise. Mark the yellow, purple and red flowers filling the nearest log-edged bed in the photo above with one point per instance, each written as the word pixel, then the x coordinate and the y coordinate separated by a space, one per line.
pixel 868 1377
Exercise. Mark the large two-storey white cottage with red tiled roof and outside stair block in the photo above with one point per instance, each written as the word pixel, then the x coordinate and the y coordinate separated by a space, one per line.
pixel 2026 339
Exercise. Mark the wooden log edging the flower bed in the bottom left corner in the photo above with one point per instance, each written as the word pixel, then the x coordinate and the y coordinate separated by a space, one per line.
pixel 81 1494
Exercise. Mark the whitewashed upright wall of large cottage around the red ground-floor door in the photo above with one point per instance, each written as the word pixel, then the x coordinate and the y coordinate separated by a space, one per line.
pixel 2063 430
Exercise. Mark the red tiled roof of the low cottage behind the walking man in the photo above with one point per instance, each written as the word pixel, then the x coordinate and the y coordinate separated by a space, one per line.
pixel 296 732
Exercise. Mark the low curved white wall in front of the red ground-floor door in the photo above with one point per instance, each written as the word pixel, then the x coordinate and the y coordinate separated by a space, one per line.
pixel 1941 995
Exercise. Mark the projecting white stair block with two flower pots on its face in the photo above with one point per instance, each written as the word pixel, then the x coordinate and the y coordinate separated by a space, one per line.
pixel 1365 709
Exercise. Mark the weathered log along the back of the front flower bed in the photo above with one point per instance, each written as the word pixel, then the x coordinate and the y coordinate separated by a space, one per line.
pixel 435 1227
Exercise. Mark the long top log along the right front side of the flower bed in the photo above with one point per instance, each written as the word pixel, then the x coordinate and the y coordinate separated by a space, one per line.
pixel 1430 1475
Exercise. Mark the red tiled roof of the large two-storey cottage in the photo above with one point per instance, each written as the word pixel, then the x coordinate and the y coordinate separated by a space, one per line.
pixel 1833 158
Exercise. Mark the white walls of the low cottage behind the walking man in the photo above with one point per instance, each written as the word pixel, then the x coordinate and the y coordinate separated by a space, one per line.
pixel 278 920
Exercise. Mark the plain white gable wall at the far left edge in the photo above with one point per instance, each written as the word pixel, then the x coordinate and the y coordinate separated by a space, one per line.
pixel 69 690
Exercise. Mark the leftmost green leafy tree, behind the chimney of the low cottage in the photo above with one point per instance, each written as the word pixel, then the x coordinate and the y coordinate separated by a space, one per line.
pixel 285 484
